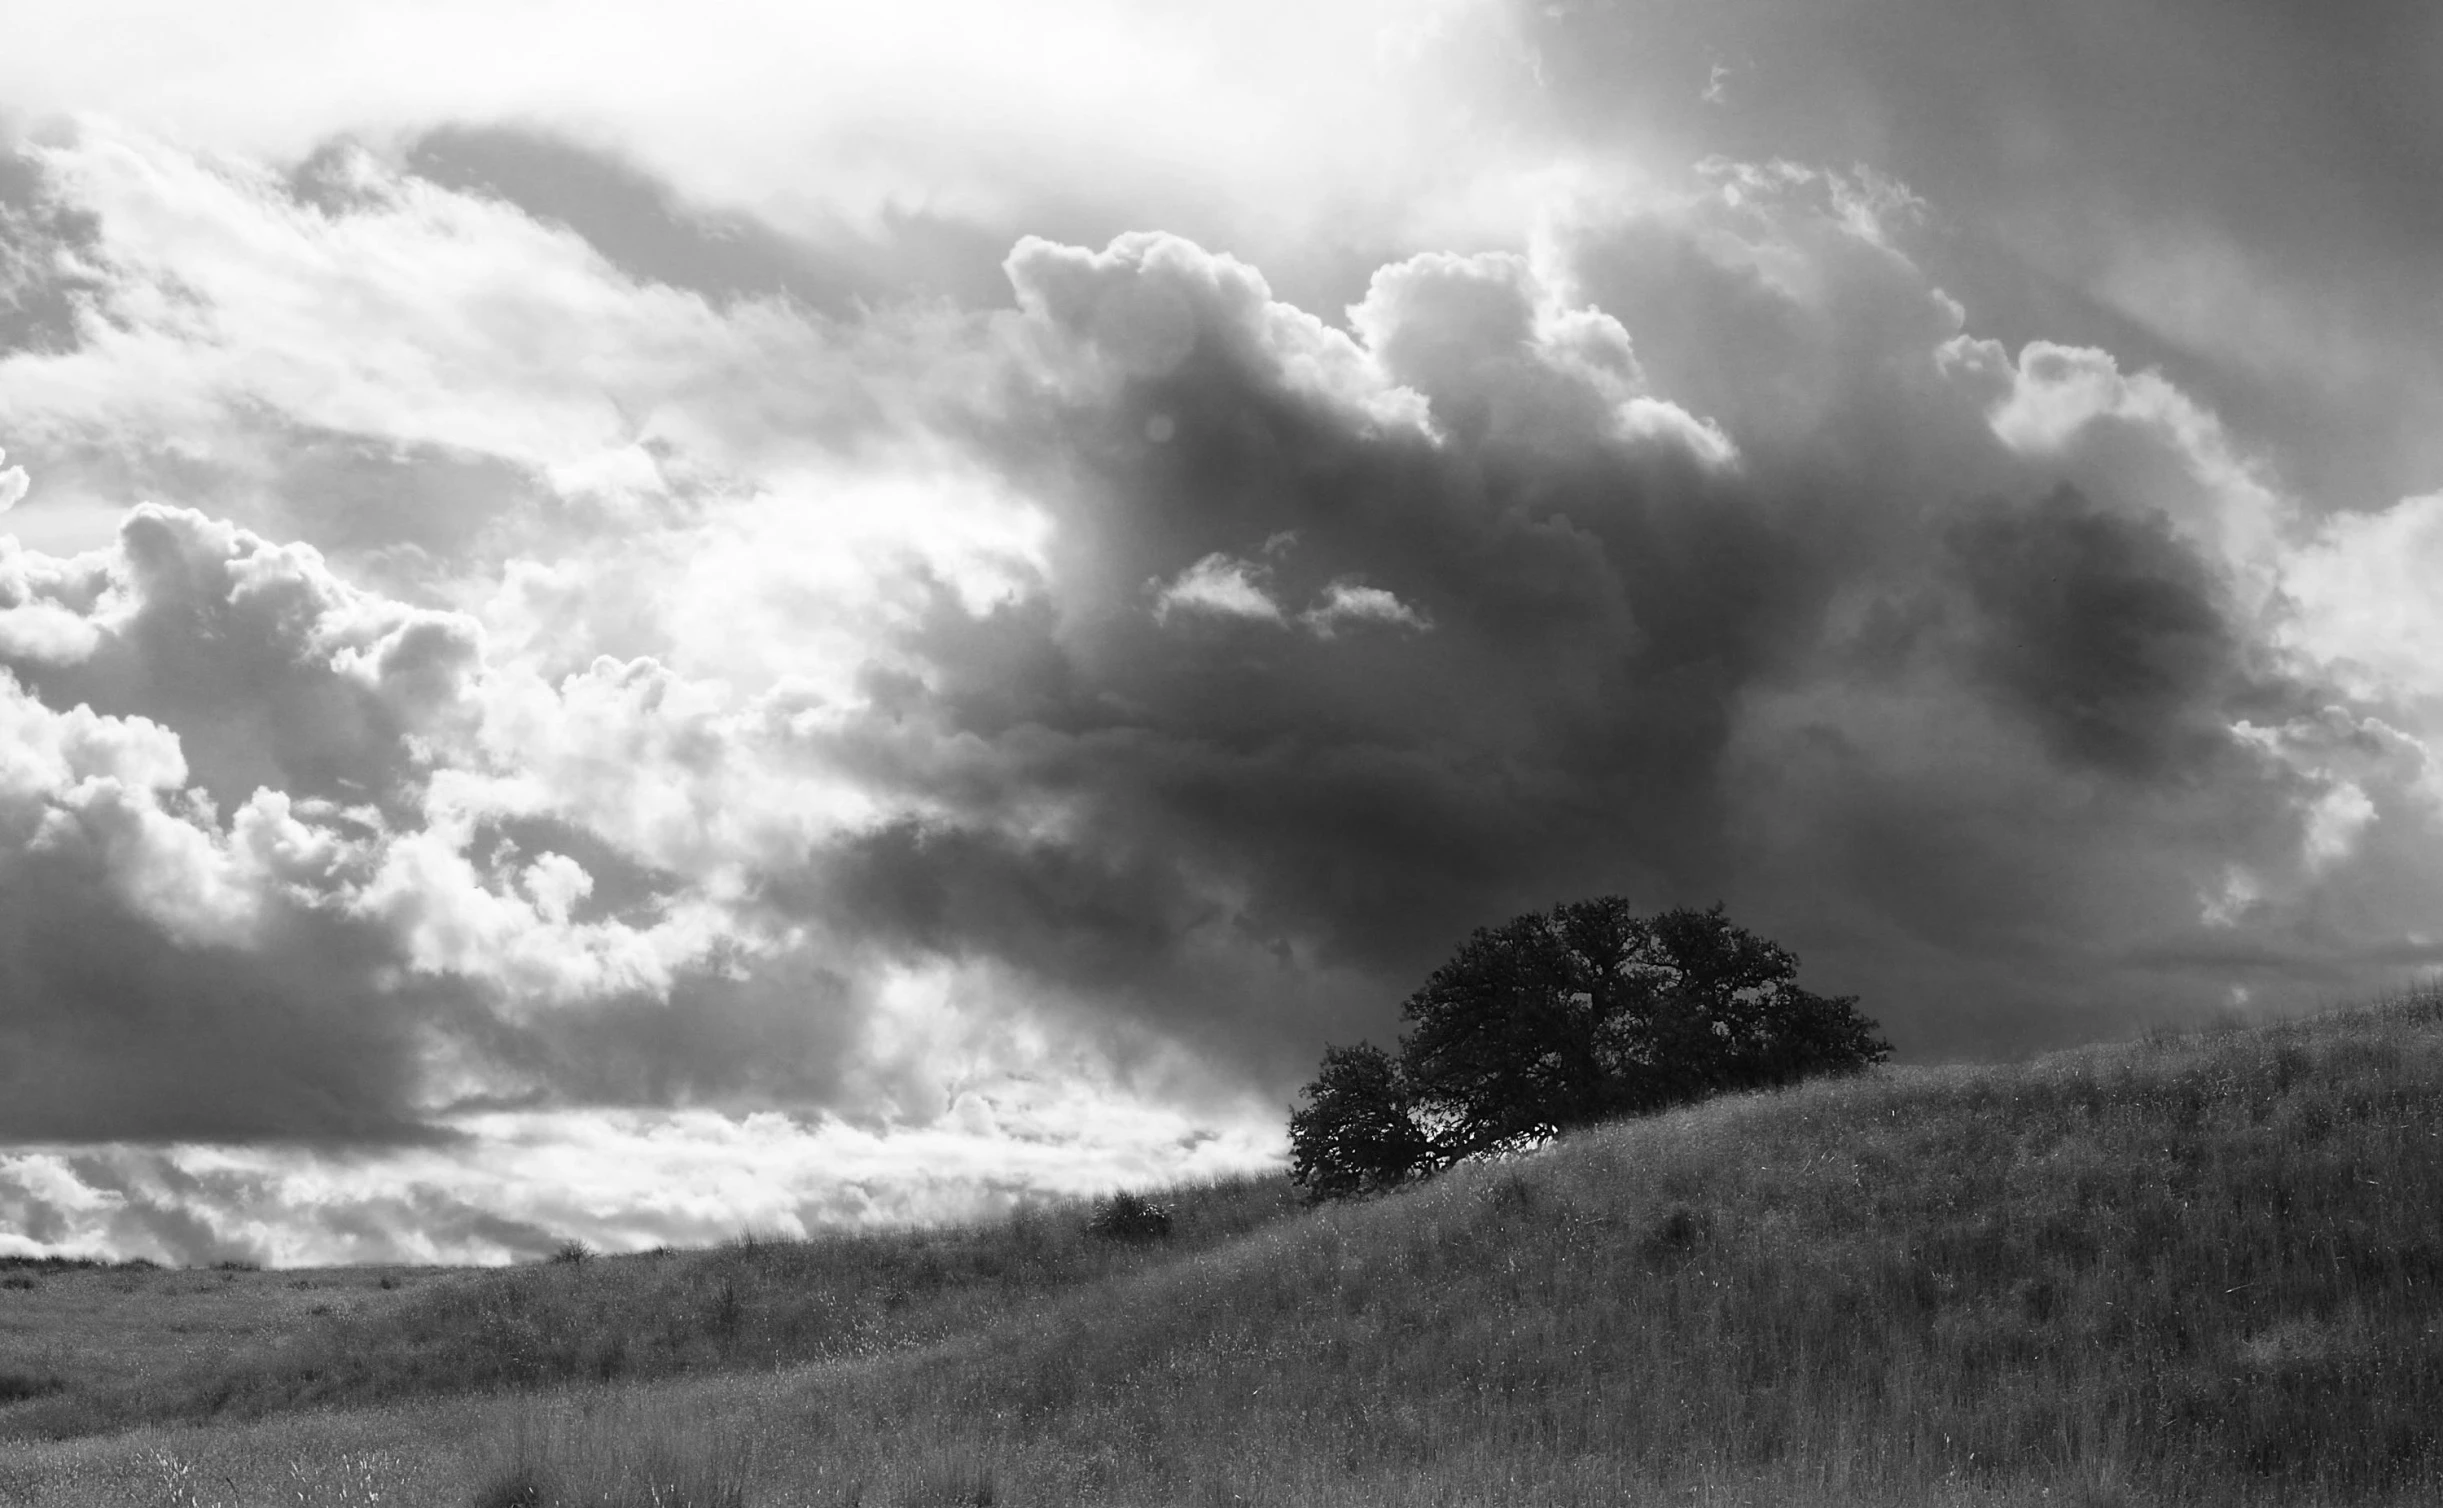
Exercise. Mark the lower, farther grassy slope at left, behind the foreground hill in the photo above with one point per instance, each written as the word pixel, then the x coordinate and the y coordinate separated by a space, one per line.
pixel 741 1306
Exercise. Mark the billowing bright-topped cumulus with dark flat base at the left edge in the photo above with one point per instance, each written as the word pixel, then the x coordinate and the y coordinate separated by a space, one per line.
pixel 297 886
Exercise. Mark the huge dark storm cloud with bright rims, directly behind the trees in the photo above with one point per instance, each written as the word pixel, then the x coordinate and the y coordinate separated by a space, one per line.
pixel 1860 676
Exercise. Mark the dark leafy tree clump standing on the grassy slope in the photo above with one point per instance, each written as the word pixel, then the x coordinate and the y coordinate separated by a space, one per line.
pixel 1560 1020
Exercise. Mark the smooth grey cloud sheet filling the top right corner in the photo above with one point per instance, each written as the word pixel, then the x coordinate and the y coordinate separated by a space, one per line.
pixel 2234 189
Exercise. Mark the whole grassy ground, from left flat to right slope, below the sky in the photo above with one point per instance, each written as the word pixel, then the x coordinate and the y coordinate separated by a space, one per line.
pixel 2195 1270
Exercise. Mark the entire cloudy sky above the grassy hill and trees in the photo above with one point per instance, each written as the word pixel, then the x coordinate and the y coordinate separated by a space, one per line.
pixel 634 624
